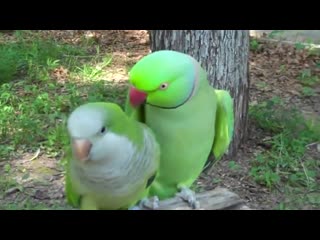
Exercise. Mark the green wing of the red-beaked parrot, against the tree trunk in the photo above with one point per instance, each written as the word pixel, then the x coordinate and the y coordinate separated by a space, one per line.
pixel 224 123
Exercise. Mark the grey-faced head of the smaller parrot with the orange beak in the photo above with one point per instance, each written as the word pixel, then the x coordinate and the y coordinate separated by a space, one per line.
pixel 94 130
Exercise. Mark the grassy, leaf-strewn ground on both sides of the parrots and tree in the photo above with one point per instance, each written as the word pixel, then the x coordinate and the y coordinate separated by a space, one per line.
pixel 45 74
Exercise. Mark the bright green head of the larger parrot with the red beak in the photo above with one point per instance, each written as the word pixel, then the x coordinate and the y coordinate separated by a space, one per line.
pixel 164 79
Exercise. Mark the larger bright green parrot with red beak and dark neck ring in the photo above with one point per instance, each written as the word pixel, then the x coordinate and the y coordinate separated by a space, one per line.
pixel 170 93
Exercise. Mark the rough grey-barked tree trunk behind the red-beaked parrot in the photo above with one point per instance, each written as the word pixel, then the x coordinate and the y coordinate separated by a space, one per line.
pixel 224 55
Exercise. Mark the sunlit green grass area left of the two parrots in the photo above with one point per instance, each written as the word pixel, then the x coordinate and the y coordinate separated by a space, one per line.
pixel 34 104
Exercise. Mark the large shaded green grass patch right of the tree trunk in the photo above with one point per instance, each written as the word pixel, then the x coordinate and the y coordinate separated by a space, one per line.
pixel 286 163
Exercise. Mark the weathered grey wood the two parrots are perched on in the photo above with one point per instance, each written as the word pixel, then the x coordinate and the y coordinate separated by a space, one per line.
pixel 217 199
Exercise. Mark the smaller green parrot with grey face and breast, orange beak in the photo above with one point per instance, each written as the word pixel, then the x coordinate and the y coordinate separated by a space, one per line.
pixel 112 159
